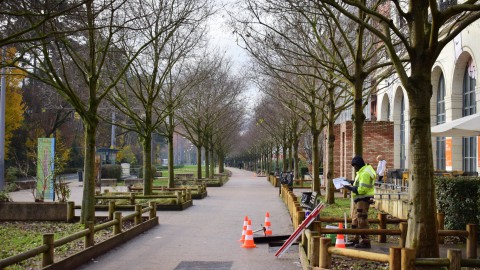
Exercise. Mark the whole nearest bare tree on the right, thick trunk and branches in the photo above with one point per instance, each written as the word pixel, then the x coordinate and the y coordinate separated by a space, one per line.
pixel 422 31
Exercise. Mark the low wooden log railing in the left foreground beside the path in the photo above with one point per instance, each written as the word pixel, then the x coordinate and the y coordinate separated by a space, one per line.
pixel 49 243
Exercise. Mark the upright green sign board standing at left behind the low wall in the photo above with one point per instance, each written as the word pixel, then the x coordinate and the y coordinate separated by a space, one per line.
pixel 45 168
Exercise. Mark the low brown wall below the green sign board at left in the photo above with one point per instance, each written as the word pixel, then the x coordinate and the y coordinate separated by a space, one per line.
pixel 24 211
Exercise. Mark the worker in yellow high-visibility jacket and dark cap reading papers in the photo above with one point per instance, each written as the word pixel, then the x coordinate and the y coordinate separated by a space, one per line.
pixel 362 194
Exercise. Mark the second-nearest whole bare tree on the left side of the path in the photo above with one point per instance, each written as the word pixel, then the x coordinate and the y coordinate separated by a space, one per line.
pixel 146 93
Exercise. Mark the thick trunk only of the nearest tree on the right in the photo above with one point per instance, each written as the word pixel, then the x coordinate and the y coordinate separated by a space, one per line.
pixel 422 226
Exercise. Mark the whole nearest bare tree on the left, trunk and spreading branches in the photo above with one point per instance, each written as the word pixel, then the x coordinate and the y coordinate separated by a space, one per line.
pixel 89 42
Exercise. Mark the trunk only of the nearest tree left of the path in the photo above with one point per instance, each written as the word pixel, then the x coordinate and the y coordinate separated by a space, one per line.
pixel 88 202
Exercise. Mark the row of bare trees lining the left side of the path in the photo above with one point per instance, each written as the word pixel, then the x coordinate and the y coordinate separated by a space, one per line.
pixel 145 60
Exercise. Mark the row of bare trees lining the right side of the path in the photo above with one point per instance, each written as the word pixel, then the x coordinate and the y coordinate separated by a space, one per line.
pixel 317 58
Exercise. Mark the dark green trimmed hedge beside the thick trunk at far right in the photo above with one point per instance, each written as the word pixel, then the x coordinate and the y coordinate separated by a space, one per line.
pixel 459 199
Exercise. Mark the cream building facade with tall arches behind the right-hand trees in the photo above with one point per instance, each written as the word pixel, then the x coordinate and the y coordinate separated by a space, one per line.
pixel 455 95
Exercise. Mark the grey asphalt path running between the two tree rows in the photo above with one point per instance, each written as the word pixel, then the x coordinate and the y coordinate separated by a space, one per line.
pixel 205 236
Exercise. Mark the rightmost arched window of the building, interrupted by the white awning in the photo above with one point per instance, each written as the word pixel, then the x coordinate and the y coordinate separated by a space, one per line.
pixel 469 147
